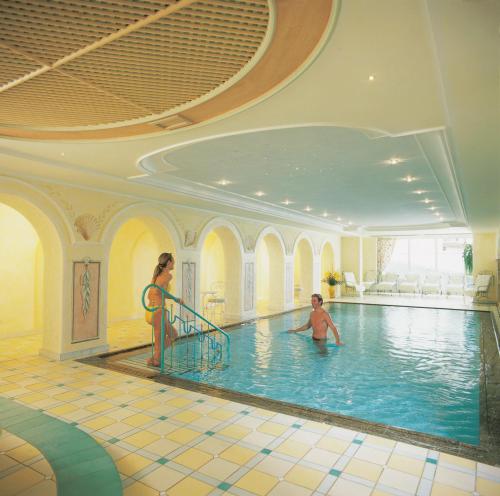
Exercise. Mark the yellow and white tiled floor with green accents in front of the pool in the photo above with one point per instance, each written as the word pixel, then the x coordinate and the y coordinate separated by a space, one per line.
pixel 166 440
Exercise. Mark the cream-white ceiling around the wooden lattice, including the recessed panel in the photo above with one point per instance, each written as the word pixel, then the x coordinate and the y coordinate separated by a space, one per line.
pixel 434 100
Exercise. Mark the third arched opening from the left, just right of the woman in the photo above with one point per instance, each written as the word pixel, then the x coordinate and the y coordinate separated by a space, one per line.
pixel 221 281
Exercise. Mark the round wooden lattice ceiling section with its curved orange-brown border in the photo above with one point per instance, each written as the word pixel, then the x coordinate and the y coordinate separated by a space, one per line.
pixel 122 68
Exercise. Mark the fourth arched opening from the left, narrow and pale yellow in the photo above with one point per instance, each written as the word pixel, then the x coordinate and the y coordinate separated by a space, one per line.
pixel 270 275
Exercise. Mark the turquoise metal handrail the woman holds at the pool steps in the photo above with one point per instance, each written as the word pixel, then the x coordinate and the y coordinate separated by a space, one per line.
pixel 213 347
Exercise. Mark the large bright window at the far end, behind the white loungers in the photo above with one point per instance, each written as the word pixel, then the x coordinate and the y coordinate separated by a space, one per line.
pixel 429 254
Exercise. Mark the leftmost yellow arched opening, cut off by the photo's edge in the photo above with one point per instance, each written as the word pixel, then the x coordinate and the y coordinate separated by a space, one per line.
pixel 31 275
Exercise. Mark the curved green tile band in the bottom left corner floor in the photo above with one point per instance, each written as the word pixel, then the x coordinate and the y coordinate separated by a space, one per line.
pixel 81 466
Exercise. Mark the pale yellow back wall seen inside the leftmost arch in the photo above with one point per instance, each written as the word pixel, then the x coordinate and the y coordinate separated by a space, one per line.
pixel 21 275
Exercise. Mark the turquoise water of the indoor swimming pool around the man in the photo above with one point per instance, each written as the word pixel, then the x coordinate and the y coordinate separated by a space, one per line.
pixel 414 368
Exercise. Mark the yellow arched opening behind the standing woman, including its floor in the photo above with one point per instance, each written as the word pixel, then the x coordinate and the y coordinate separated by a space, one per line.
pixel 133 256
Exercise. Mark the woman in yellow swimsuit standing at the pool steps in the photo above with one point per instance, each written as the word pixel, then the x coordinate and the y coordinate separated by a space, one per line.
pixel 161 277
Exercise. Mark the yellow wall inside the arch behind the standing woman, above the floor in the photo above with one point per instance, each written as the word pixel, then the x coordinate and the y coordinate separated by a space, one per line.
pixel 133 257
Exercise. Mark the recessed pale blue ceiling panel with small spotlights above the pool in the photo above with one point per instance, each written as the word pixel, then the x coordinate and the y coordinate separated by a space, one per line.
pixel 335 173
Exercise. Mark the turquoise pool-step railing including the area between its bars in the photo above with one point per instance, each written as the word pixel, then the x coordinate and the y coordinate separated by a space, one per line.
pixel 195 344
